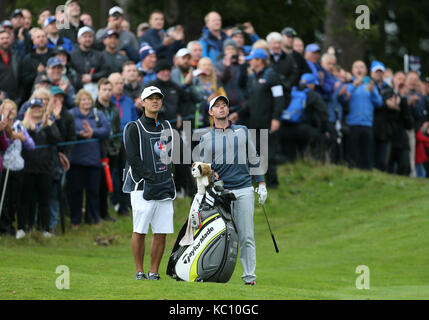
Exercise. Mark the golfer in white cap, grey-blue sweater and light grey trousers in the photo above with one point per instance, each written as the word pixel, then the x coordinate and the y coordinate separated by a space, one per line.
pixel 226 148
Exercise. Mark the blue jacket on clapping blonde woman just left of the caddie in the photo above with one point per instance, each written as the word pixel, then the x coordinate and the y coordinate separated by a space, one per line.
pixel 88 154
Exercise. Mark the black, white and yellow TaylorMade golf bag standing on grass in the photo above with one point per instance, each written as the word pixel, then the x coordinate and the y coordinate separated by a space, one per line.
pixel 213 254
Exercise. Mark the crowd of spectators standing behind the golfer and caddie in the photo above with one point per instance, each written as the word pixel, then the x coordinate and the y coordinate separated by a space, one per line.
pixel 68 90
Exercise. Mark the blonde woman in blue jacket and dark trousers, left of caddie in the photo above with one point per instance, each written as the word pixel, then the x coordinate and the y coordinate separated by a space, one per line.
pixel 85 165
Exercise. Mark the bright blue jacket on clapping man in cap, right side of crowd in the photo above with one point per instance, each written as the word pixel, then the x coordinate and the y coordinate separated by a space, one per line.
pixel 362 104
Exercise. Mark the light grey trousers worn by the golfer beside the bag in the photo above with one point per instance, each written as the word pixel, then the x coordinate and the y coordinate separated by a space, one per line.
pixel 242 212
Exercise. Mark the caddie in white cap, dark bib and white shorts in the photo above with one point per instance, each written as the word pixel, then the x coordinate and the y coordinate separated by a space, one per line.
pixel 148 178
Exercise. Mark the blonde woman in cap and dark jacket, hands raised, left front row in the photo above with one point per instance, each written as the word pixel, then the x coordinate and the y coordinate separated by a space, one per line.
pixel 38 167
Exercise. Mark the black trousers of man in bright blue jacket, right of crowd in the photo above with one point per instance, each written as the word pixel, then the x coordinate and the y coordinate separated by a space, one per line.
pixel 359 147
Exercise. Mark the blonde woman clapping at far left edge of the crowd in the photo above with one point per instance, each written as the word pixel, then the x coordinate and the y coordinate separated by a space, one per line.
pixel 19 139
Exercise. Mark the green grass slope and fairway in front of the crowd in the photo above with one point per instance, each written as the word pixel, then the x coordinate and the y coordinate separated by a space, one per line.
pixel 327 220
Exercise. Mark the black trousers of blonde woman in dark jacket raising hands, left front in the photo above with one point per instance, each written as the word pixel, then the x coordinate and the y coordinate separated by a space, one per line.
pixel 36 190
